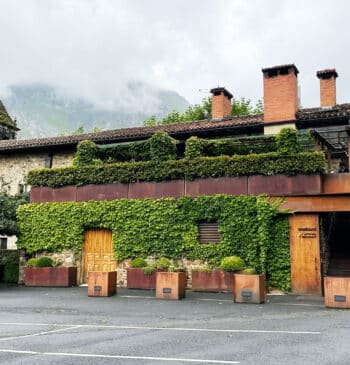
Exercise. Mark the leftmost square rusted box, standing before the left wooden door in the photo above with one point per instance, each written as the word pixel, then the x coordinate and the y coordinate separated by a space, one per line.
pixel 102 283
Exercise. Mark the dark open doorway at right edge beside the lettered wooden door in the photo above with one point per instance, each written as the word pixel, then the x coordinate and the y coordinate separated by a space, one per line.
pixel 335 244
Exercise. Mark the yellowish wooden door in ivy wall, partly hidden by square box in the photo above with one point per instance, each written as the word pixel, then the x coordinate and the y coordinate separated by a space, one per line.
pixel 98 252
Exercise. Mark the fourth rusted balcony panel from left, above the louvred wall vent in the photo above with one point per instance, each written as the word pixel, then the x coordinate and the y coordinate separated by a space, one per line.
pixel 221 185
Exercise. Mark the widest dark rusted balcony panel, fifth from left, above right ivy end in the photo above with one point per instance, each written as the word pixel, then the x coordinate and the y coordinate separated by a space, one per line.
pixel 281 185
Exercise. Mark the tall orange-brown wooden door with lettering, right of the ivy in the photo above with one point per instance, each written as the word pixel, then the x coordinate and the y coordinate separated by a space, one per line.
pixel 305 253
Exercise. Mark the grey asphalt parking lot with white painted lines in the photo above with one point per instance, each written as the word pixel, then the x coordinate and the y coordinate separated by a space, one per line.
pixel 65 326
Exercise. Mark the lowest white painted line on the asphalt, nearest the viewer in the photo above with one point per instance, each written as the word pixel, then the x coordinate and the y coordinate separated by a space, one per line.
pixel 99 356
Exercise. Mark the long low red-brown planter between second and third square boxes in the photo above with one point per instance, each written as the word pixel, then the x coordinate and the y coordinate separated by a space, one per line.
pixel 212 281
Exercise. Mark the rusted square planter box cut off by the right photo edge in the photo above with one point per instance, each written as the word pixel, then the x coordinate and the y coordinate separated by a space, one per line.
pixel 337 292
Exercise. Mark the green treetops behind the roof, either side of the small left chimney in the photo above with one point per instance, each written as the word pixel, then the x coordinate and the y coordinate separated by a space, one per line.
pixel 240 107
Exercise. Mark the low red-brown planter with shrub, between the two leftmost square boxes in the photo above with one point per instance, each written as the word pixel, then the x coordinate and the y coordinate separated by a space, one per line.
pixel 140 276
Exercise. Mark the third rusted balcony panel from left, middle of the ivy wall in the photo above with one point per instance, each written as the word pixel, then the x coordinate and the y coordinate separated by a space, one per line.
pixel 164 189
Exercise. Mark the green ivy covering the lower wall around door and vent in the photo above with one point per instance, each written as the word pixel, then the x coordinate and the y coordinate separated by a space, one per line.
pixel 166 227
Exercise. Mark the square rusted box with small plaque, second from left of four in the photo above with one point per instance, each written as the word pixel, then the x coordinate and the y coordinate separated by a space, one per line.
pixel 170 285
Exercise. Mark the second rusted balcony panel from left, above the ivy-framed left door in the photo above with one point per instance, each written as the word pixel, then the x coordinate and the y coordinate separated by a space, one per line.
pixel 102 192
